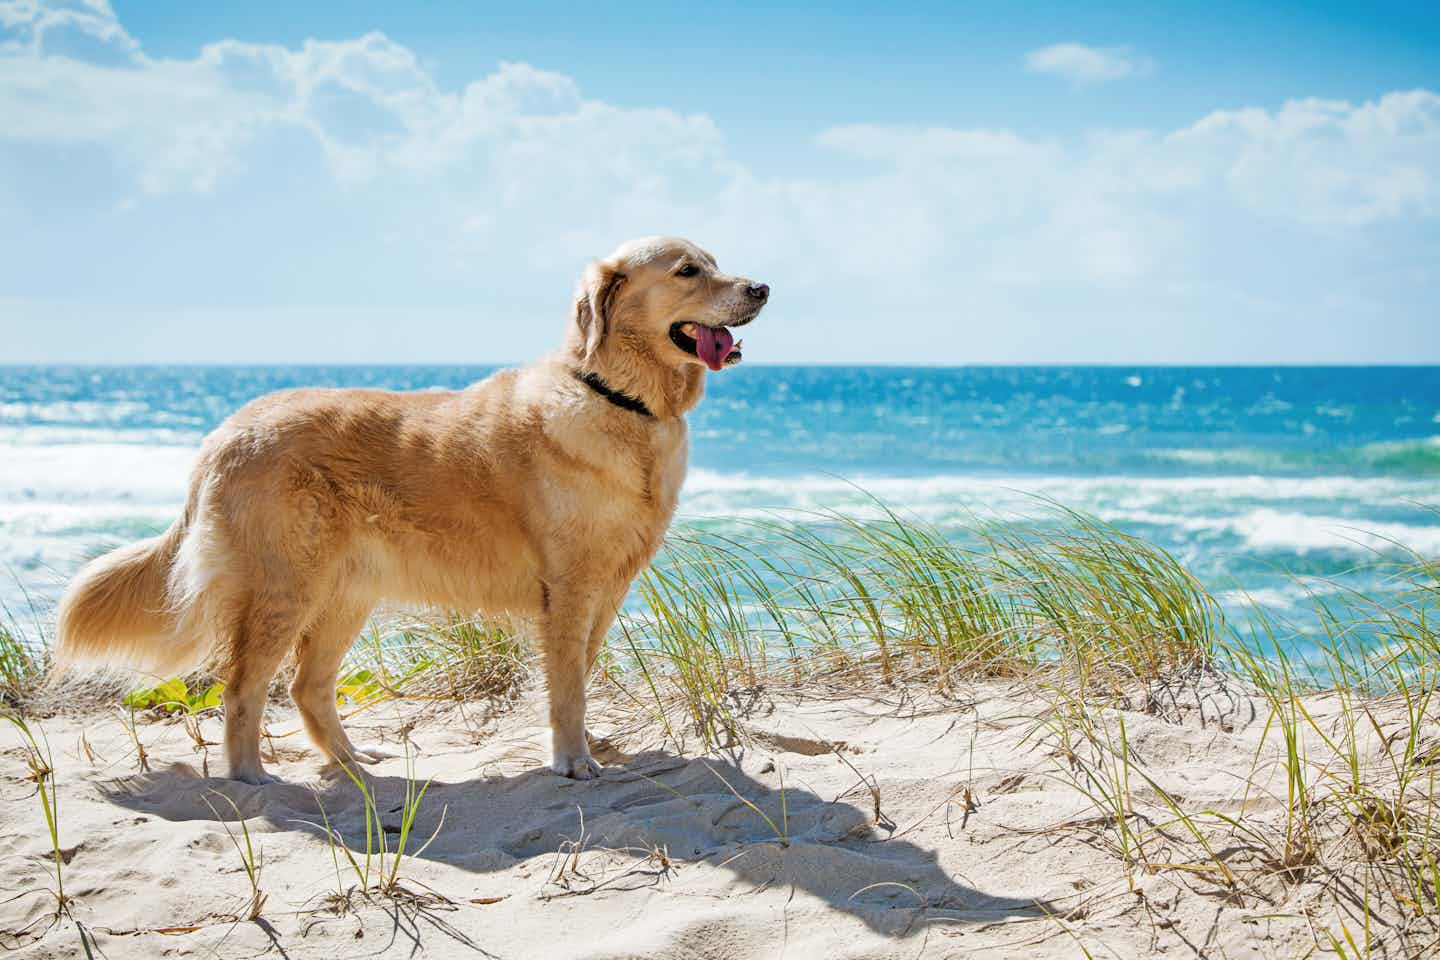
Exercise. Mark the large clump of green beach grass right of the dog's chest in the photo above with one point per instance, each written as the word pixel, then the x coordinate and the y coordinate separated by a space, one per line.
pixel 814 601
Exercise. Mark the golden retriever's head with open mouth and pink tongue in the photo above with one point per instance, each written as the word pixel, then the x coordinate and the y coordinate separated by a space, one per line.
pixel 665 297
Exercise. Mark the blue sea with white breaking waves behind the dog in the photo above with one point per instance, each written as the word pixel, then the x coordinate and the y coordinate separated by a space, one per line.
pixel 1255 477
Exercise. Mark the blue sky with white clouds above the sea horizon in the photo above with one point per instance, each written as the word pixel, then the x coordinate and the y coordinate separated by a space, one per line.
pixel 931 184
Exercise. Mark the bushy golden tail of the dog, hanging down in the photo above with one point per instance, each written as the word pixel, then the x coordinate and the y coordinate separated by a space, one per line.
pixel 119 611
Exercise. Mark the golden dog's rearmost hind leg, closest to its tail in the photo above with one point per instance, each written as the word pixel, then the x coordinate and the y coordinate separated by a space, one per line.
pixel 264 634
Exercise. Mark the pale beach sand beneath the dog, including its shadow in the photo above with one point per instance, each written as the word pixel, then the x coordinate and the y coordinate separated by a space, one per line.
pixel 978 847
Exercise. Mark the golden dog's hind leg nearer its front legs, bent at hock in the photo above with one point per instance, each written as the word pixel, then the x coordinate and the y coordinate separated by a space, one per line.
pixel 318 666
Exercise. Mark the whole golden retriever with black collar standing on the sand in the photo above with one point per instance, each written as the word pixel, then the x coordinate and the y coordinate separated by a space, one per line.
pixel 538 493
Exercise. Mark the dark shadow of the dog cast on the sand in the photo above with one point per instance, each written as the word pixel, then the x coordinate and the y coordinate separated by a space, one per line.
pixel 620 833
